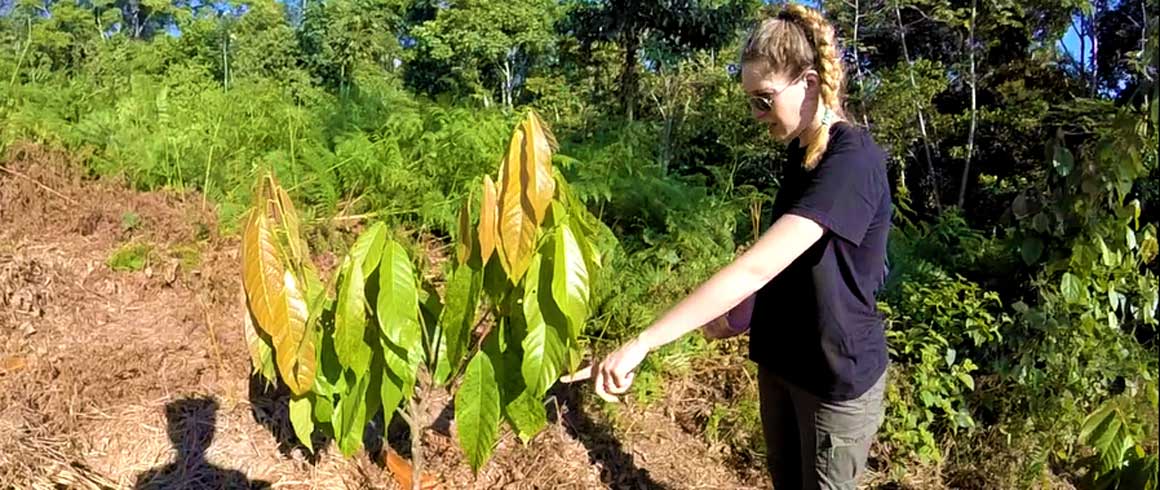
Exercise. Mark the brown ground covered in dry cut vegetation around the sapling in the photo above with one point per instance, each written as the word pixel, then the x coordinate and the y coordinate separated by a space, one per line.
pixel 141 379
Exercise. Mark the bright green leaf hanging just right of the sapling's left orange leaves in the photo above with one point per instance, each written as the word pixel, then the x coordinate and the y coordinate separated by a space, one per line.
pixel 351 318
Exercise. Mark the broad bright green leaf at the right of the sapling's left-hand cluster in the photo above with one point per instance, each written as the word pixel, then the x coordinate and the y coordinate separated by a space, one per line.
pixel 398 302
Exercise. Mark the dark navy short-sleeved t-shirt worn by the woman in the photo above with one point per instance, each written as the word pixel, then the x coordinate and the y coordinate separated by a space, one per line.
pixel 817 325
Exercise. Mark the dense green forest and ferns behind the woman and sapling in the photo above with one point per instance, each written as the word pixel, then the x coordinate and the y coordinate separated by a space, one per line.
pixel 1023 298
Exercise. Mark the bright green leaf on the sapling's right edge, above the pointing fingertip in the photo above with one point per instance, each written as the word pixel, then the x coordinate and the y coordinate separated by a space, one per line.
pixel 570 279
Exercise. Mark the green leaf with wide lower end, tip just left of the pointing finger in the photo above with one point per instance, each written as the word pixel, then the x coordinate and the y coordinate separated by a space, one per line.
pixel 543 349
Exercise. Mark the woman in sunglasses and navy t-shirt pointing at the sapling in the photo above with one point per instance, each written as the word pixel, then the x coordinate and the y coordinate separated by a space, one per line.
pixel 816 334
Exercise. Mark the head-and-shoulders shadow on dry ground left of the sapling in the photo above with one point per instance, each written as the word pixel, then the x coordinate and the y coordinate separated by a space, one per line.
pixel 192 423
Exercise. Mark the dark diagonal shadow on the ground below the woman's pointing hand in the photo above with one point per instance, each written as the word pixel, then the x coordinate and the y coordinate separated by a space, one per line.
pixel 619 469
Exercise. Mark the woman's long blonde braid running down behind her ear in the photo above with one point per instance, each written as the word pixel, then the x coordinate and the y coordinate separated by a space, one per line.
pixel 830 70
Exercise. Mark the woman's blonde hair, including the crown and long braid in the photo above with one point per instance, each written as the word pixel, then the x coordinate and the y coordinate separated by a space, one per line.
pixel 792 41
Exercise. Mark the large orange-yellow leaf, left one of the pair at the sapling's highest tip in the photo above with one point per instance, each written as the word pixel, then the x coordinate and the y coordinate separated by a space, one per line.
pixel 517 226
